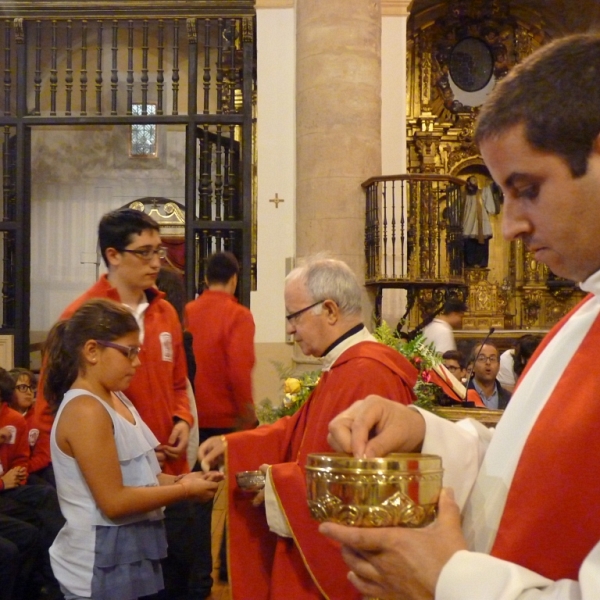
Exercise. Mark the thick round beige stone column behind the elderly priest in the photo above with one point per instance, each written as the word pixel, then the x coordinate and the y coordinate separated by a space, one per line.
pixel 338 124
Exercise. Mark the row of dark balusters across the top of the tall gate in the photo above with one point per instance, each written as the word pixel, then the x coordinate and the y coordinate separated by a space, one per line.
pixel 101 67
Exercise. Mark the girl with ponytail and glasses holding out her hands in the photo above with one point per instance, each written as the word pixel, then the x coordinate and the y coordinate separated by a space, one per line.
pixel 108 477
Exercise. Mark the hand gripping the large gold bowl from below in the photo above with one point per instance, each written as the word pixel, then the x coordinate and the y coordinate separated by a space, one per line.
pixel 398 562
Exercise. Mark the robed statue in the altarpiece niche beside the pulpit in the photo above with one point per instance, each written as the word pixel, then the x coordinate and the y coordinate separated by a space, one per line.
pixel 477 228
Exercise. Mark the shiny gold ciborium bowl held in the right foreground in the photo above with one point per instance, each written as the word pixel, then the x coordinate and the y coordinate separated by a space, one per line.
pixel 398 490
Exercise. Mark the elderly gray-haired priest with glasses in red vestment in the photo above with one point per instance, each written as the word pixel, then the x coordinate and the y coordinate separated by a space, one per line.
pixel 276 551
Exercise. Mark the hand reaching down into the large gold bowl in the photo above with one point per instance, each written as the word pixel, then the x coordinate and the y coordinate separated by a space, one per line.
pixel 375 427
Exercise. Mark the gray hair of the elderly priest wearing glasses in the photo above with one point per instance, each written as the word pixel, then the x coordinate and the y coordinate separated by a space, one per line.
pixel 330 279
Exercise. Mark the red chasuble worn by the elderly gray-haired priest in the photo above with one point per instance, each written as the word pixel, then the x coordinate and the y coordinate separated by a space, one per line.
pixel 263 565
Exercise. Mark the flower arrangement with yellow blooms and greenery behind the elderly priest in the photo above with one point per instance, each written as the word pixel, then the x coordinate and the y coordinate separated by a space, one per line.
pixel 297 389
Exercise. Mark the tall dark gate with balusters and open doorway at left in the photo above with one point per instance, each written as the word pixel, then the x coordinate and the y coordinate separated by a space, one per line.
pixel 194 62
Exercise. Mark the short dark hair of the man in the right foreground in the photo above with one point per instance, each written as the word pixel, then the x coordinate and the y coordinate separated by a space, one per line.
pixel 555 95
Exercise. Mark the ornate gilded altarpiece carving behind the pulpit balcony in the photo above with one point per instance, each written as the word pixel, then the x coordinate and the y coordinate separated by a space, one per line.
pixel 518 292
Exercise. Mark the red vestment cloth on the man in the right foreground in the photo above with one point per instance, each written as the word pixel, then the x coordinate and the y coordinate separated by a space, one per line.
pixel 550 522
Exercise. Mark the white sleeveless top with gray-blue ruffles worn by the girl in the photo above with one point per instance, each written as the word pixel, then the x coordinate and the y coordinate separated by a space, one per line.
pixel 97 557
